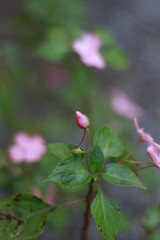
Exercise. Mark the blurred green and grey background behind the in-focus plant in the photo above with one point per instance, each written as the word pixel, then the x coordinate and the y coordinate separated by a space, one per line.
pixel 43 82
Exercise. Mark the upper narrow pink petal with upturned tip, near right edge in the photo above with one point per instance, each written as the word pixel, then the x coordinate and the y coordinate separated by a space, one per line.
pixel 144 137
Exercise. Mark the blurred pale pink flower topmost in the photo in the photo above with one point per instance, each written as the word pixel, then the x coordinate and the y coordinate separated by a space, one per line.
pixel 88 49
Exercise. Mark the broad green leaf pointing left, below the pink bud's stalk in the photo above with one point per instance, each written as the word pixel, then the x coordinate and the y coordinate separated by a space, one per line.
pixel 71 172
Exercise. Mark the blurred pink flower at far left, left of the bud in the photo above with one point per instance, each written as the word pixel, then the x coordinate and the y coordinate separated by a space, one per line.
pixel 26 148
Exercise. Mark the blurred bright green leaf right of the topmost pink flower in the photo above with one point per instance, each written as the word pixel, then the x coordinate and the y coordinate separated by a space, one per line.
pixel 116 58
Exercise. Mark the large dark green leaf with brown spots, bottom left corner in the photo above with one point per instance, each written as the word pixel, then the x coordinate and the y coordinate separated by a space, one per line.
pixel 22 216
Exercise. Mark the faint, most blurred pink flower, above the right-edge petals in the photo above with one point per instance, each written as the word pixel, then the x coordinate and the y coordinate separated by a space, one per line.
pixel 124 106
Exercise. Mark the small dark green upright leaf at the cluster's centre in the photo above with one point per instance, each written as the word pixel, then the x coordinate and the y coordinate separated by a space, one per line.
pixel 96 158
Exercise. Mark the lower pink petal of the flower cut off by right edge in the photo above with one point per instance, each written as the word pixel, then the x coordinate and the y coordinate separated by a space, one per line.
pixel 154 153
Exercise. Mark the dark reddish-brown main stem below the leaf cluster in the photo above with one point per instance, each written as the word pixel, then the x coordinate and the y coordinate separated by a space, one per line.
pixel 87 211
